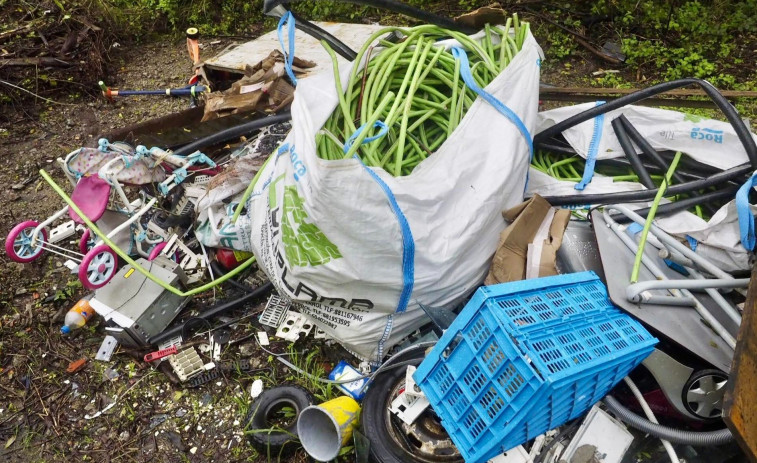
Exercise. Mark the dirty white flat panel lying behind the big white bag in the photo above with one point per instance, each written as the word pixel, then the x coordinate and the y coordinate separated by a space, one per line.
pixel 235 58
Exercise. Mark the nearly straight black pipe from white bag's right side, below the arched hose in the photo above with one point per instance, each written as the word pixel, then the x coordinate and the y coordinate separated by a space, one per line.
pixel 646 195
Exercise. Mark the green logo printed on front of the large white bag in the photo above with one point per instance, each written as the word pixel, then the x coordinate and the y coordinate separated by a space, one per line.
pixel 304 243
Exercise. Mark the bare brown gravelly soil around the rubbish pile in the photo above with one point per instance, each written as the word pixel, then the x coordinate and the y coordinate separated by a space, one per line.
pixel 47 414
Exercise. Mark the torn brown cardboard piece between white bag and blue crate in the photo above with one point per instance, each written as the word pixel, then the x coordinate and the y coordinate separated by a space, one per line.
pixel 528 246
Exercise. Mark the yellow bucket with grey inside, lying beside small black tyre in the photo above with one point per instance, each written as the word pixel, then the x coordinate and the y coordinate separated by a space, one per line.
pixel 323 429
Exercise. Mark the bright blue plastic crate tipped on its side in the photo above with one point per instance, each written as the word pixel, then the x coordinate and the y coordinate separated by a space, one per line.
pixel 497 379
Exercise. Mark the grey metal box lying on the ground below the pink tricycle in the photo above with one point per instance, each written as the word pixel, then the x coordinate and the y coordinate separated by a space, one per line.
pixel 136 308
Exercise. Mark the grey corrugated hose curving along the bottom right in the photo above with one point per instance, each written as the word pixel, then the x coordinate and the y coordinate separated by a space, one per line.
pixel 676 436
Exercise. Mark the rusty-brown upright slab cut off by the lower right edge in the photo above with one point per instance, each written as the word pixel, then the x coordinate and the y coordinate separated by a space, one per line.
pixel 740 411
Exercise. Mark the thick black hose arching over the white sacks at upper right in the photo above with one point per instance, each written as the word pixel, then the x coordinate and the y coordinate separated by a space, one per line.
pixel 728 110
